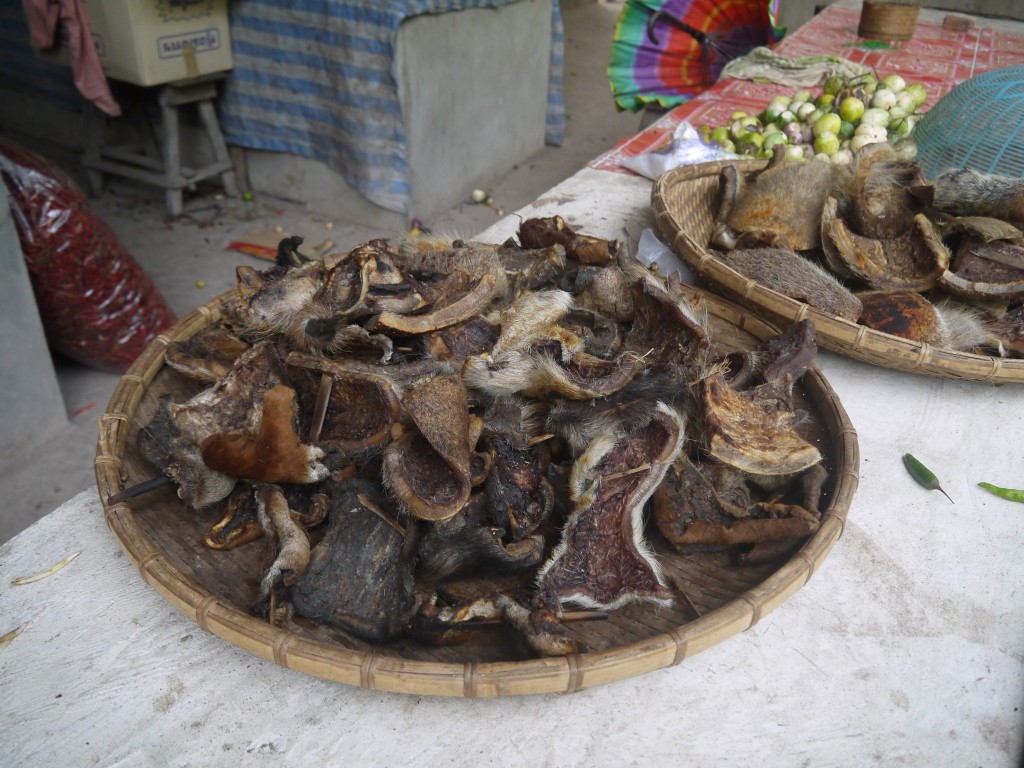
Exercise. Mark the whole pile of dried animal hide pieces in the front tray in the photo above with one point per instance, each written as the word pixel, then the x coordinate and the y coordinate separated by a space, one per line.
pixel 402 416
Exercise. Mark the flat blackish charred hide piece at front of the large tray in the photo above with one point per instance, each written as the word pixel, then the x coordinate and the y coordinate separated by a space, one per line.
pixel 360 576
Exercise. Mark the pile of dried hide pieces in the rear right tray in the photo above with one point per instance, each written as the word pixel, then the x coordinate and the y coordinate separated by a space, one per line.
pixel 876 243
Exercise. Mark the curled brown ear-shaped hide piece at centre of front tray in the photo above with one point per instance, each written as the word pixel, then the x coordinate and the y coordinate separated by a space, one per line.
pixel 429 468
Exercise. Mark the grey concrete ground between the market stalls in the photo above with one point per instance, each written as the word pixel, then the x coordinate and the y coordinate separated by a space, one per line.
pixel 189 261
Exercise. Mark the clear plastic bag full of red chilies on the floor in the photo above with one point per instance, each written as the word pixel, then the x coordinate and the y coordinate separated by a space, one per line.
pixel 98 307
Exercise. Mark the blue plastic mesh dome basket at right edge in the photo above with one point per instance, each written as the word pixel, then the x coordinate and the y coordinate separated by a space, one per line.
pixel 978 125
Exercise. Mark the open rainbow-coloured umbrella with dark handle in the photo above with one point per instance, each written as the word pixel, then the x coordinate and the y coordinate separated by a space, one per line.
pixel 668 52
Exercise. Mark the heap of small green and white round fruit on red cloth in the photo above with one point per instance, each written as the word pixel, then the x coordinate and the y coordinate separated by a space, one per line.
pixel 848 115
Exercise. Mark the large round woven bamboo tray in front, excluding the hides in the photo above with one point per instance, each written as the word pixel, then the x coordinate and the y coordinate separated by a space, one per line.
pixel 215 589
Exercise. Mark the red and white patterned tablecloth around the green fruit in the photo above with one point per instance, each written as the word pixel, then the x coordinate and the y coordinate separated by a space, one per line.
pixel 937 58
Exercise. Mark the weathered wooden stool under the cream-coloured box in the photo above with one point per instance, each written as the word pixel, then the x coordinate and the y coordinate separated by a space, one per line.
pixel 164 170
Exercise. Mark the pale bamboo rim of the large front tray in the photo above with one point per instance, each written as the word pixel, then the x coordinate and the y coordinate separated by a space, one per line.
pixel 378 671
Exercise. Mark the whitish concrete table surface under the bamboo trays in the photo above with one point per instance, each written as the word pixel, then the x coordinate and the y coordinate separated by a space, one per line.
pixel 907 649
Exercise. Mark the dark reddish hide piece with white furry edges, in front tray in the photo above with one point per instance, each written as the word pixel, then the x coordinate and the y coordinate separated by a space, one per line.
pixel 604 561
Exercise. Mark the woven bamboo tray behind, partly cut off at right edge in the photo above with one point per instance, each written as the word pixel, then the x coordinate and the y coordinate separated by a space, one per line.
pixel 686 202
